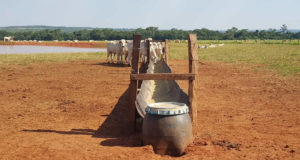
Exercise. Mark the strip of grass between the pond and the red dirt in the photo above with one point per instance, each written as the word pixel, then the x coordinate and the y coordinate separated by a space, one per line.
pixel 25 59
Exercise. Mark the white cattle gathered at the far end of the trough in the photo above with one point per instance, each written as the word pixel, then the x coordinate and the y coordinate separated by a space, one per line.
pixel 123 49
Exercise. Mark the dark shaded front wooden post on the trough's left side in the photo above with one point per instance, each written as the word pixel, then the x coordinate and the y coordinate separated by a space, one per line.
pixel 133 83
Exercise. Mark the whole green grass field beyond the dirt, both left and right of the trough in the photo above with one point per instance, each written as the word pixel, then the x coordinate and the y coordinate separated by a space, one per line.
pixel 285 59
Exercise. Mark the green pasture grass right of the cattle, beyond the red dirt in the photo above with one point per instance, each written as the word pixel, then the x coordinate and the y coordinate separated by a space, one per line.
pixel 285 59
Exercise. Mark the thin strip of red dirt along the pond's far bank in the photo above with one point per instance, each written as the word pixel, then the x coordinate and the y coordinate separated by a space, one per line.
pixel 79 44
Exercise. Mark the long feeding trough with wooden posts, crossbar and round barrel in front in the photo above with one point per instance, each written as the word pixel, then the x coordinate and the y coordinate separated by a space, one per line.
pixel 156 97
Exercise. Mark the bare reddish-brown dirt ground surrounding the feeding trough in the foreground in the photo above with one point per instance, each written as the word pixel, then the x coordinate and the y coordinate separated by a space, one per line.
pixel 77 110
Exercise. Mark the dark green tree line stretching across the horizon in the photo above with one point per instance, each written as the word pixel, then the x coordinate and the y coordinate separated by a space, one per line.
pixel 110 34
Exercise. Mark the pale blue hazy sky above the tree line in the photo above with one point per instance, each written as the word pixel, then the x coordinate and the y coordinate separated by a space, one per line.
pixel 165 14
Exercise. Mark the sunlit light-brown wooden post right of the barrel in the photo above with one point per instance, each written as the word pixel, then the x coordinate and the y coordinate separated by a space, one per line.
pixel 193 68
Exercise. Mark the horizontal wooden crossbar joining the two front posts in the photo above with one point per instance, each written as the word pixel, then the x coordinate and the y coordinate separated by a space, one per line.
pixel 162 76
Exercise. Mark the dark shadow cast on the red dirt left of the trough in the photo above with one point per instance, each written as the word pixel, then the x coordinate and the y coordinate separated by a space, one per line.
pixel 115 128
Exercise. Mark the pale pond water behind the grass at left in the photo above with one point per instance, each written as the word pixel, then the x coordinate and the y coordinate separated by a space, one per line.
pixel 27 49
